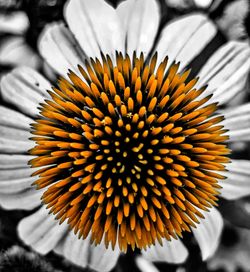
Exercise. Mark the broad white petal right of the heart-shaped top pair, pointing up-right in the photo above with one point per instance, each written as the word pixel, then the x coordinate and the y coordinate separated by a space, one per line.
pixel 184 39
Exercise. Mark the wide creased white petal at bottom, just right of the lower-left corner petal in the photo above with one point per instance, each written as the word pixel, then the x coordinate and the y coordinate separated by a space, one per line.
pixel 82 253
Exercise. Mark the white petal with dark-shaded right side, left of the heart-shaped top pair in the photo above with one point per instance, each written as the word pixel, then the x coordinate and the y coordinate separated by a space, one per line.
pixel 60 49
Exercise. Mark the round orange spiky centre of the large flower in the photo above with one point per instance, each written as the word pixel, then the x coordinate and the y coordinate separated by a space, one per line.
pixel 128 152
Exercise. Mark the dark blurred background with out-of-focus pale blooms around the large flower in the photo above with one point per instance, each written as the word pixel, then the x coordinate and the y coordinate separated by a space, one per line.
pixel 21 22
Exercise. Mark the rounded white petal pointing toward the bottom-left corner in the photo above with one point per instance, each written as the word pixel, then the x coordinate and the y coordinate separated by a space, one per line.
pixel 41 231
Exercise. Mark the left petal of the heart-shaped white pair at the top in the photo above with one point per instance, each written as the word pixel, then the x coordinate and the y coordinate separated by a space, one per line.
pixel 96 26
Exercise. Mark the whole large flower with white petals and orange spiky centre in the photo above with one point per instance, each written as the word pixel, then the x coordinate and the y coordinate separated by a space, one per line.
pixel 109 116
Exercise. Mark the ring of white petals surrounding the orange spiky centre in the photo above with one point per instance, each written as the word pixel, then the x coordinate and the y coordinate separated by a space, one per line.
pixel 95 26
